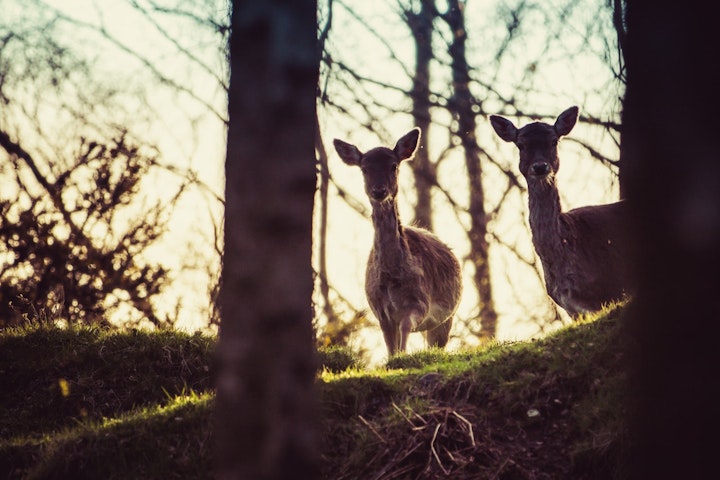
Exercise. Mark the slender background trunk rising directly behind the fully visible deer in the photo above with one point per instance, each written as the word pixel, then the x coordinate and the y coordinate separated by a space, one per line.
pixel 421 27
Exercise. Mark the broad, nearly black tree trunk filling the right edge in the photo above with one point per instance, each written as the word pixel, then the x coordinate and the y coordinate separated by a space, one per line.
pixel 670 126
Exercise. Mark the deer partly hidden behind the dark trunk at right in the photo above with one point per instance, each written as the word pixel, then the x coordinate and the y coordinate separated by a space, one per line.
pixel 583 251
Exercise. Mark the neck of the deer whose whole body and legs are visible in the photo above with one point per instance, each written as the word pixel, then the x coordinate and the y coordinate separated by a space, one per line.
pixel 389 244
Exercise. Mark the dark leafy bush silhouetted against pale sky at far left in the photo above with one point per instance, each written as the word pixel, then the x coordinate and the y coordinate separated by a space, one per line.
pixel 76 247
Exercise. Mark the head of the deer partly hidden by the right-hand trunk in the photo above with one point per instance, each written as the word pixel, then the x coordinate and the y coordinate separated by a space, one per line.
pixel 537 143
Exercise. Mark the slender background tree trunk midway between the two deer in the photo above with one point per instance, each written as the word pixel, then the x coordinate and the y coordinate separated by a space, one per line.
pixel 461 106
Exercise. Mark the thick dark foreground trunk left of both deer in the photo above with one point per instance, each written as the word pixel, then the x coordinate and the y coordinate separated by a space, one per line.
pixel 265 421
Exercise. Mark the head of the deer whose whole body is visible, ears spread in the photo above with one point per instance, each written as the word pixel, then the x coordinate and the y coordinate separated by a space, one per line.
pixel 380 165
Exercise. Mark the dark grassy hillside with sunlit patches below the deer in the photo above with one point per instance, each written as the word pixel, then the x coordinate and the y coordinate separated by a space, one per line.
pixel 83 403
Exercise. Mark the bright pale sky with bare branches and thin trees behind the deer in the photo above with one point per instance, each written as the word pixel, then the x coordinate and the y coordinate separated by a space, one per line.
pixel 112 145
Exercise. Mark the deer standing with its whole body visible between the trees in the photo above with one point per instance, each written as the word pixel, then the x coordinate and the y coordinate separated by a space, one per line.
pixel 413 281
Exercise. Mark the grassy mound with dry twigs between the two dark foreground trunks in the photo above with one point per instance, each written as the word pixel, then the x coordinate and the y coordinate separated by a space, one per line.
pixel 547 409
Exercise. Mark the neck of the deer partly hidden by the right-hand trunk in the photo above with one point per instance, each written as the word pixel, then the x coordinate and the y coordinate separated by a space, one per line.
pixel 544 206
